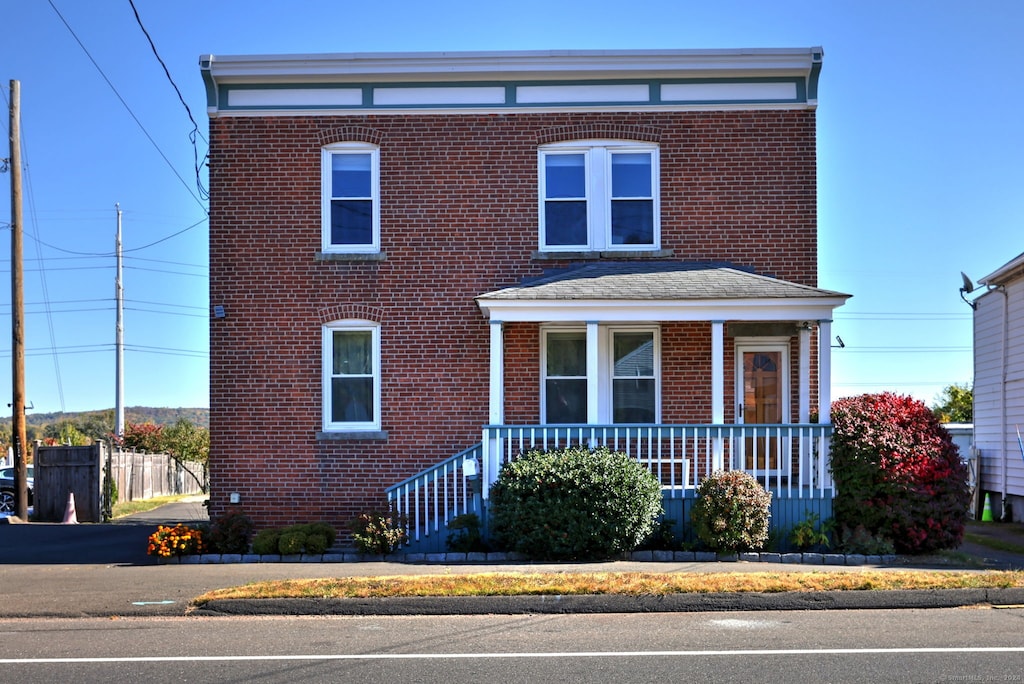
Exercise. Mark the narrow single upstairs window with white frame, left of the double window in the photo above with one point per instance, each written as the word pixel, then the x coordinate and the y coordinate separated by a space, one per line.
pixel 351 205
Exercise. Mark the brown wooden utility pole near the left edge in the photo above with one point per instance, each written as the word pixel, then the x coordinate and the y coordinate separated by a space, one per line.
pixel 19 433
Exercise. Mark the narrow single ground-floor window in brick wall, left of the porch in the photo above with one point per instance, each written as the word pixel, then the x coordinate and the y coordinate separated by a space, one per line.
pixel 352 376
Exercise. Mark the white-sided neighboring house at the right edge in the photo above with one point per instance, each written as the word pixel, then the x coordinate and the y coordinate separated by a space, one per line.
pixel 999 388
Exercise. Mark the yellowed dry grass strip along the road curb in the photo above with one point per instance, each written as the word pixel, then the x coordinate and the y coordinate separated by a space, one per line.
pixel 564 584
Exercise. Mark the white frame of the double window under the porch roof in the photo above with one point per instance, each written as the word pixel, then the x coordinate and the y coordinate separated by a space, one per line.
pixel 605 375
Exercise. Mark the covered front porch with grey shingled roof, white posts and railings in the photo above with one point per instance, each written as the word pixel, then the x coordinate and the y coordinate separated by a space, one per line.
pixel 691 369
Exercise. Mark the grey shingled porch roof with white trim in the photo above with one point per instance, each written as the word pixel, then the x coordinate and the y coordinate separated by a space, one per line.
pixel 659 291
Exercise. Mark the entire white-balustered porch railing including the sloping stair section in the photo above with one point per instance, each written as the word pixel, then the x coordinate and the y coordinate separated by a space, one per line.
pixel 790 460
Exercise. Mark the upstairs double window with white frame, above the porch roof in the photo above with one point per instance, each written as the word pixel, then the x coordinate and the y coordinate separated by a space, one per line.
pixel 600 196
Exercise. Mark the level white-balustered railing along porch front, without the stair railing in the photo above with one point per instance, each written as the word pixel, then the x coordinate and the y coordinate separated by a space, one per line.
pixel 791 460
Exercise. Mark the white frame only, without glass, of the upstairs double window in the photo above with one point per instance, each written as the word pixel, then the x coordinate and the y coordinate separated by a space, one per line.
pixel 599 156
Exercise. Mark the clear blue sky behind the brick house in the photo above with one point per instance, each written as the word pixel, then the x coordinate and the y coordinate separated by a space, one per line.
pixel 920 162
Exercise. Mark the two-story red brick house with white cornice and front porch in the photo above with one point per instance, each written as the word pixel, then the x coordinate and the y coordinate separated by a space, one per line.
pixel 423 264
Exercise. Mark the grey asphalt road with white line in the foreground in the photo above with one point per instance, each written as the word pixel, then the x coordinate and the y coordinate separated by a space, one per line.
pixel 948 646
